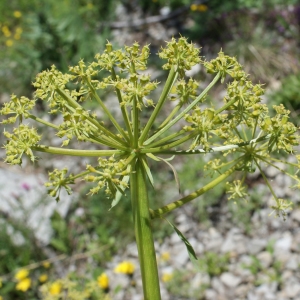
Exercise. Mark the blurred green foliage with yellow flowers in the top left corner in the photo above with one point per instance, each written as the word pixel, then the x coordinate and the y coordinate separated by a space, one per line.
pixel 39 34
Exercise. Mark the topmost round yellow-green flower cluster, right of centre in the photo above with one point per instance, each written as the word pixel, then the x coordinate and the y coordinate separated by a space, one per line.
pixel 181 55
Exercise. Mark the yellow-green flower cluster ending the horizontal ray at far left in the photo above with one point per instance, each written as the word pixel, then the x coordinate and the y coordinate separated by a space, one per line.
pixel 20 142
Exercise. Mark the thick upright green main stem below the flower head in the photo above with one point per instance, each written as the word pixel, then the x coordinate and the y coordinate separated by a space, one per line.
pixel 143 232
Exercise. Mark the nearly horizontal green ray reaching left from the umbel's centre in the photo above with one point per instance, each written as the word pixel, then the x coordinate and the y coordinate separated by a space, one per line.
pixel 75 152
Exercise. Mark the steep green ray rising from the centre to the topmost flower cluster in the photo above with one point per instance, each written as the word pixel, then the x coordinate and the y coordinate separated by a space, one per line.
pixel 162 99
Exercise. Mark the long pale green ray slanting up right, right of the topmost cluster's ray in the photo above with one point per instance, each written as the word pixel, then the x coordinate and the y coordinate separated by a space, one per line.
pixel 186 110
